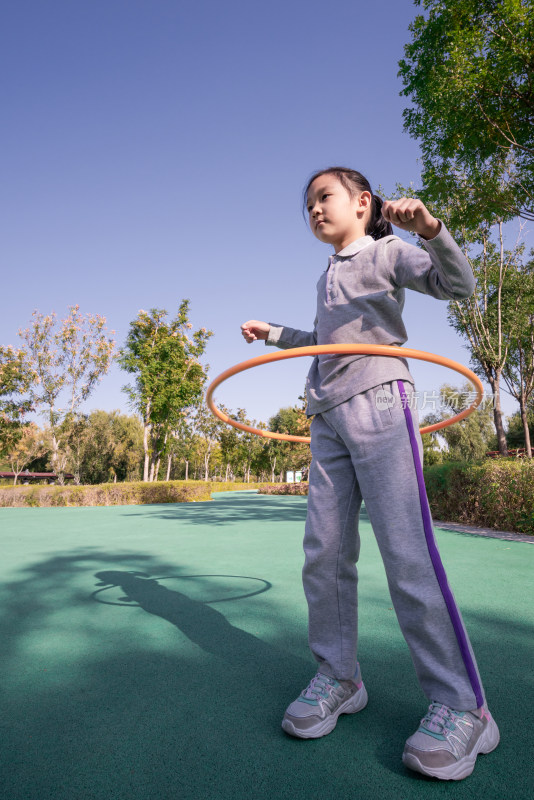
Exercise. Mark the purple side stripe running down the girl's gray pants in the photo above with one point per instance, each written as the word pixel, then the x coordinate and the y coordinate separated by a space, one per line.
pixel 436 559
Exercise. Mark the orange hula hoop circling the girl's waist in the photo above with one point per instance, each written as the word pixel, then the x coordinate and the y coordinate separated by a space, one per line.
pixel 338 349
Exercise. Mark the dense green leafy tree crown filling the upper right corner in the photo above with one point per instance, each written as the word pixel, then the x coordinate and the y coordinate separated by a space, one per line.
pixel 468 71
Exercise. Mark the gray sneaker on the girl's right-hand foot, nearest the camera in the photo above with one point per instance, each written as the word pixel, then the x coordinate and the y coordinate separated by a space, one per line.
pixel 447 742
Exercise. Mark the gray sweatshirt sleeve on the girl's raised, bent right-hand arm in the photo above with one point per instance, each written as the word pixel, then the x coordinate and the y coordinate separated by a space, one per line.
pixel 440 270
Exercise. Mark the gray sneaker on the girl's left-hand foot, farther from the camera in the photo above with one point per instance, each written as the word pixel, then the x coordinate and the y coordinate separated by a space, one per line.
pixel 315 711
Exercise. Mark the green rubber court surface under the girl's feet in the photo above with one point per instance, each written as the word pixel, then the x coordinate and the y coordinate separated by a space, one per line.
pixel 150 652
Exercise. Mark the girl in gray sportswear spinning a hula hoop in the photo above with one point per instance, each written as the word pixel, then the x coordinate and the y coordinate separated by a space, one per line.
pixel 366 446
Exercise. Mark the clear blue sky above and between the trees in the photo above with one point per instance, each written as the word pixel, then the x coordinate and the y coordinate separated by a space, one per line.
pixel 154 150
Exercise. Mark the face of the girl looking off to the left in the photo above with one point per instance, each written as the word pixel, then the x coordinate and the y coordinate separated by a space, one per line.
pixel 337 217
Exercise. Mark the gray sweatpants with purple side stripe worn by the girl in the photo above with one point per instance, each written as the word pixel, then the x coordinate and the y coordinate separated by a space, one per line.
pixel 369 448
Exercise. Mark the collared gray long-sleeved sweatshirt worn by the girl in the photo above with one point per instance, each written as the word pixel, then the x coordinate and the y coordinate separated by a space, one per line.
pixel 360 298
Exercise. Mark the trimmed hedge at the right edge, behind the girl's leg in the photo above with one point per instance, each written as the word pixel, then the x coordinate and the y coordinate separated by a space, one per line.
pixel 497 493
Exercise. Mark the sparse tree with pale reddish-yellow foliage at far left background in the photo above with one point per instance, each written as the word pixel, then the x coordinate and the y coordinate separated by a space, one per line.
pixel 67 362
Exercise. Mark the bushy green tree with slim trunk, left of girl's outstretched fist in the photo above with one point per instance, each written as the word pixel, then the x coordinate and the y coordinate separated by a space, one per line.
pixel 164 358
